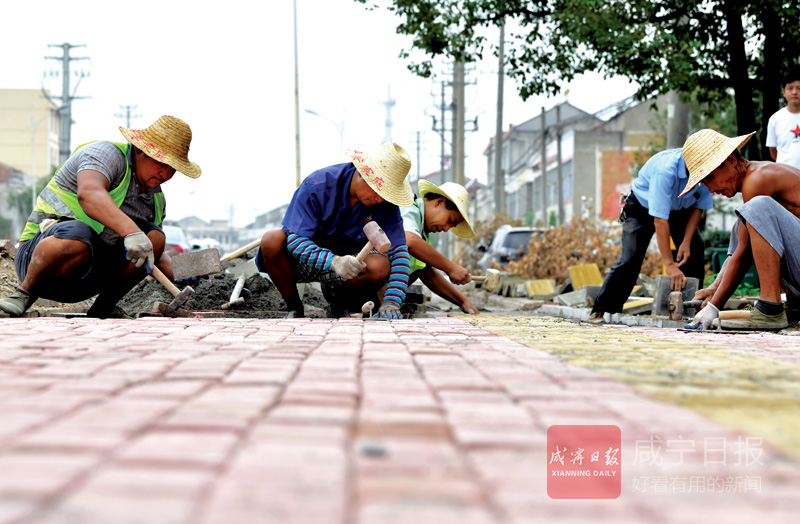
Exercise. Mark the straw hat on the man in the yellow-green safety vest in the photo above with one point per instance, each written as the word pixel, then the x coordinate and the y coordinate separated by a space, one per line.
pixel 166 141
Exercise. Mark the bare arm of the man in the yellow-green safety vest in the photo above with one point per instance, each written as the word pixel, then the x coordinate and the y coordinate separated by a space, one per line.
pixel 97 203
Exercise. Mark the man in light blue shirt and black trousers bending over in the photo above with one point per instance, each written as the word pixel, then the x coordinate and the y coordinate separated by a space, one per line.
pixel 657 205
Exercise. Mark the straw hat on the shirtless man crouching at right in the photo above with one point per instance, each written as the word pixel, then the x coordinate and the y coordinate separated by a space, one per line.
pixel 705 150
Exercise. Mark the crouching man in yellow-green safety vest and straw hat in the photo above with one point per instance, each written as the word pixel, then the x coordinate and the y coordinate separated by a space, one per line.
pixel 95 229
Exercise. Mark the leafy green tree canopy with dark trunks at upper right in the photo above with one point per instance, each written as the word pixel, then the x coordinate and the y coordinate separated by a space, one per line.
pixel 704 49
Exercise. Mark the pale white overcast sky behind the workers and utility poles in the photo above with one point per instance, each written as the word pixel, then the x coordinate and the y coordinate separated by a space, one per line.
pixel 227 69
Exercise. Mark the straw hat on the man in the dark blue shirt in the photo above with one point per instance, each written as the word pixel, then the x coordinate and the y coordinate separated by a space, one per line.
pixel 385 171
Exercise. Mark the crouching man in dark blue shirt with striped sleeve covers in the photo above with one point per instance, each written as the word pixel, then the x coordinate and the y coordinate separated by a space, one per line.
pixel 323 231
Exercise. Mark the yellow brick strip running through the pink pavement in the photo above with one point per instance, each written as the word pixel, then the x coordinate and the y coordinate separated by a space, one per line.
pixel 757 396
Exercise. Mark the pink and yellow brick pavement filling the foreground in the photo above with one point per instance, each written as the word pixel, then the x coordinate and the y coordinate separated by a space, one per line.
pixel 440 420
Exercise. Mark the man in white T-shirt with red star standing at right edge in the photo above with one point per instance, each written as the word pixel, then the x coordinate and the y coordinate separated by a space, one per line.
pixel 783 130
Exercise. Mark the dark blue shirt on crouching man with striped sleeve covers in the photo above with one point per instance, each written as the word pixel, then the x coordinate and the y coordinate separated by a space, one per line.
pixel 320 211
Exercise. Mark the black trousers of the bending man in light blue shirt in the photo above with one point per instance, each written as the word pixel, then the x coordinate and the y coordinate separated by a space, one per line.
pixel 637 230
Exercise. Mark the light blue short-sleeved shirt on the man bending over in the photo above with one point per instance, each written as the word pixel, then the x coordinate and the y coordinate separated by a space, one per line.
pixel 661 180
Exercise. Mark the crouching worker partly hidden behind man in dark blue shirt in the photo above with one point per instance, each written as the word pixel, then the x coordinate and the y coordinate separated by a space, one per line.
pixel 439 209
